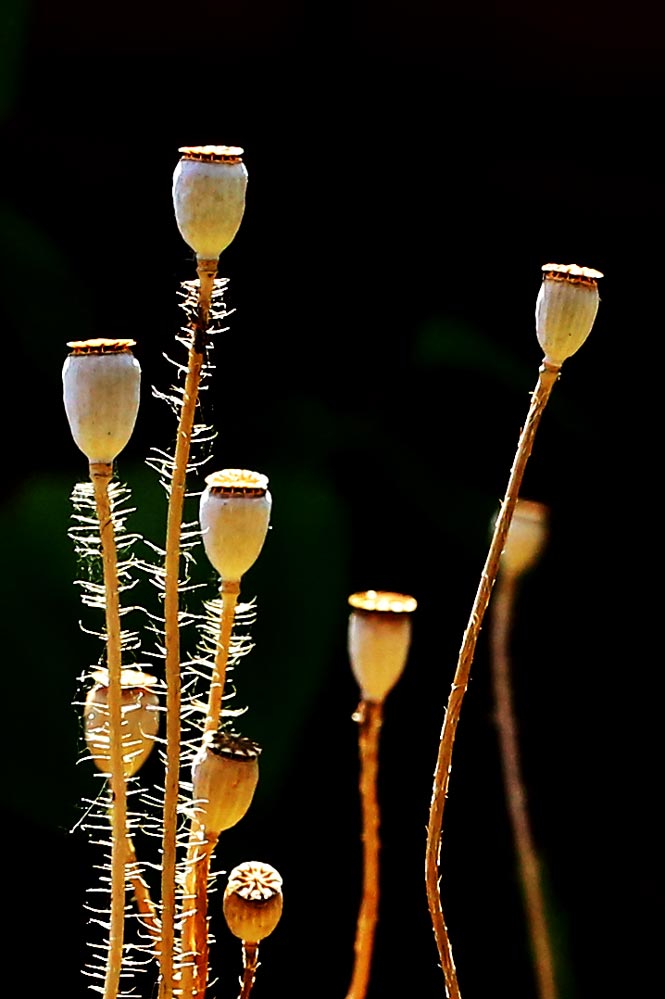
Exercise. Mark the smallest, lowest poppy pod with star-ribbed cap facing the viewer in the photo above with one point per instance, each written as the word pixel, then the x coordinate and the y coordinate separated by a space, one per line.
pixel 253 901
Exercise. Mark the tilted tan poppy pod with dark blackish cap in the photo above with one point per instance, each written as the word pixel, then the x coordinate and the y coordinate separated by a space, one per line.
pixel 225 772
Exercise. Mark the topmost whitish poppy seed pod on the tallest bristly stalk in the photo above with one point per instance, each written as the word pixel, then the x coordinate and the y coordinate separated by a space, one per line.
pixel 209 185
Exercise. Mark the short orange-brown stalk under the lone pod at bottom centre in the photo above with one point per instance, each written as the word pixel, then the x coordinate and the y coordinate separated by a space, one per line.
pixel 369 717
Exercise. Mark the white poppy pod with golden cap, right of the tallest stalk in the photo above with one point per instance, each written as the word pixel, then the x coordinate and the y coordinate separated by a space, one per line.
pixel 235 514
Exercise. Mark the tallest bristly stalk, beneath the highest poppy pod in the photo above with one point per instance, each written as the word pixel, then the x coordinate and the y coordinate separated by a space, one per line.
pixel 195 364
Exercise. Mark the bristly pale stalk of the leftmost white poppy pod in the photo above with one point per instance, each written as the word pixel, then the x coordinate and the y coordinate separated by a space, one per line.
pixel 101 474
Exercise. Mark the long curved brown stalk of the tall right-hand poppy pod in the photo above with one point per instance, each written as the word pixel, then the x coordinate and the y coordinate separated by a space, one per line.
pixel 547 376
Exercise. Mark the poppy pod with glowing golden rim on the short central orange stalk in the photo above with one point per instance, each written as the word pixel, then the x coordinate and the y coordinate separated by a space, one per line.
pixel 379 637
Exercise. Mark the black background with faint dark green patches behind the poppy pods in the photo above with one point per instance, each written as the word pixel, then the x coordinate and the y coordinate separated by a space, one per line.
pixel 411 169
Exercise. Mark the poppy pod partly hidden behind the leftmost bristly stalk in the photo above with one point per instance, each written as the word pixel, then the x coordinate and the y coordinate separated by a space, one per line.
pixel 140 719
